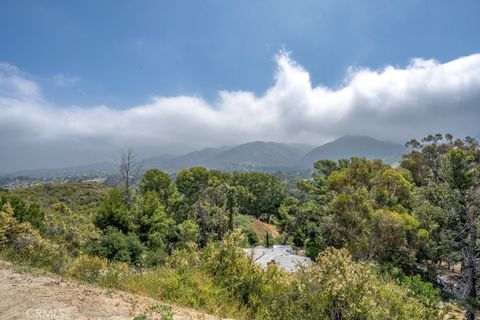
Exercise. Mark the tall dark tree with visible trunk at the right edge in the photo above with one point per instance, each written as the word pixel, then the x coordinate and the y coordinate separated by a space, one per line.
pixel 450 168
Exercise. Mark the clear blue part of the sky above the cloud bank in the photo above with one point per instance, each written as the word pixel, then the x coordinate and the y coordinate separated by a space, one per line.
pixel 122 52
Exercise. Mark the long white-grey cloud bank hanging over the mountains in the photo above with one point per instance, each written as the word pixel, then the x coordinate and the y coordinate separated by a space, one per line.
pixel 395 103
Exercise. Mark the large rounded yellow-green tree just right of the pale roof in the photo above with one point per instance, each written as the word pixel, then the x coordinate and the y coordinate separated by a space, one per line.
pixel 363 205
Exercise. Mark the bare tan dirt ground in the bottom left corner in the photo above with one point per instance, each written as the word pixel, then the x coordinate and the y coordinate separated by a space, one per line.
pixel 26 296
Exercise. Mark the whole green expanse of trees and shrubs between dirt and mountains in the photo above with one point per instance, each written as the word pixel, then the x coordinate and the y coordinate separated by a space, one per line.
pixel 381 237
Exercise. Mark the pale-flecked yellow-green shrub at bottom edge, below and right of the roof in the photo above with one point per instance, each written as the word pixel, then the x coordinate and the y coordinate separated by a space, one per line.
pixel 336 287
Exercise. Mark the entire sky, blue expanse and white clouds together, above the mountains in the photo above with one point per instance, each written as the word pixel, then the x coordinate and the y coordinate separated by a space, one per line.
pixel 82 79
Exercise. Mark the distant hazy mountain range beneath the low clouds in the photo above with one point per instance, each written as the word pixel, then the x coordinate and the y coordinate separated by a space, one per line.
pixel 257 155
